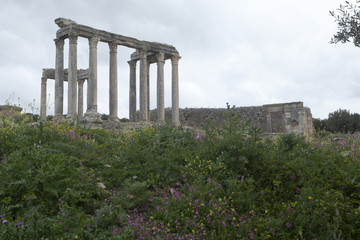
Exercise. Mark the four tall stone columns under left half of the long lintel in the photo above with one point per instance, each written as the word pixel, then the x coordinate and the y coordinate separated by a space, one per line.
pixel 91 111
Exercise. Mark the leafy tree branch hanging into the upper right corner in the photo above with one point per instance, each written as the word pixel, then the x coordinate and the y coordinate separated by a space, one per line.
pixel 347 17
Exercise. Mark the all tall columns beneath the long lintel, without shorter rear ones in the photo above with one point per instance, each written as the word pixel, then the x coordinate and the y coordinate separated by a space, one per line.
pixel 91 112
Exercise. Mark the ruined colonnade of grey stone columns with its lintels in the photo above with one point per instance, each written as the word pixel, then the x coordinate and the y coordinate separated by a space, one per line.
pixel 146 53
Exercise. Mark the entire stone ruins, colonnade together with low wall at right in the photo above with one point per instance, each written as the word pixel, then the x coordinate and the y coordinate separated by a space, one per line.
pixel 272 118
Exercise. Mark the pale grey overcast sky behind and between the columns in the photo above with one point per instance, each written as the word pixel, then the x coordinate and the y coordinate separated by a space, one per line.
pixel 247 53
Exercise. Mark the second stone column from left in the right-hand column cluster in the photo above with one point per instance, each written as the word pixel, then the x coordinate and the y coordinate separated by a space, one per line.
pixel 143 85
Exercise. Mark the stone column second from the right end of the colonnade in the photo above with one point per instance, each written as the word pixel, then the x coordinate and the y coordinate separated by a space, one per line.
pixel 160 57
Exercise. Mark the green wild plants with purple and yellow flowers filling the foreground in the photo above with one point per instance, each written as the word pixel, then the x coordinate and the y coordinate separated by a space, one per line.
pixel 163 182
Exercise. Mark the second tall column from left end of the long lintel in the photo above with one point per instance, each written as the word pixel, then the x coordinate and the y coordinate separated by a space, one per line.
pixel 72 79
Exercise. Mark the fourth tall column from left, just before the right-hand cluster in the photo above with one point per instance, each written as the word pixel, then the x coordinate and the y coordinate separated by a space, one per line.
pixel 113 91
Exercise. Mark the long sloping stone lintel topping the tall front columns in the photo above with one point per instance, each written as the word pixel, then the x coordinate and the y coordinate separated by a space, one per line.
pixel 104 36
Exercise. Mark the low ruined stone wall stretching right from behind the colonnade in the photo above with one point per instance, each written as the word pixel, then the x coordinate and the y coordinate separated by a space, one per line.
pixel 273 118
